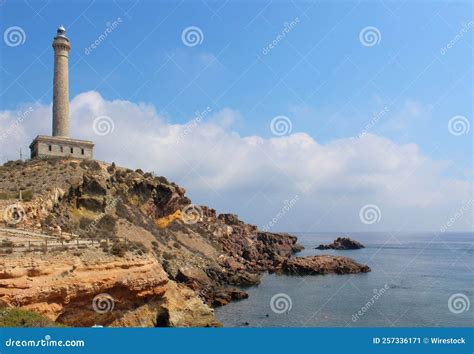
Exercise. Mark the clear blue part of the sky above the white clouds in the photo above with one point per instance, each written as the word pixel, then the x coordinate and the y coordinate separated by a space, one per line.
pixel 319 75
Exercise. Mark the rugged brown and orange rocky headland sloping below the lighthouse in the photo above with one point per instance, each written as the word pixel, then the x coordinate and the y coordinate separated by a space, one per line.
pixel 186 263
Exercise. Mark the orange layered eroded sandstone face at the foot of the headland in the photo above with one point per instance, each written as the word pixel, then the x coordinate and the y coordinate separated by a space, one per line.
pixel 92 289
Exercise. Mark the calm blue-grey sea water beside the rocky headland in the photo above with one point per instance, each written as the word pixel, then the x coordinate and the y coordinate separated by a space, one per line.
pixel 420 273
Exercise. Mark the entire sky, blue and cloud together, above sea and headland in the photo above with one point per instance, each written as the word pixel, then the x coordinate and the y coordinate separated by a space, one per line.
pixel 295 115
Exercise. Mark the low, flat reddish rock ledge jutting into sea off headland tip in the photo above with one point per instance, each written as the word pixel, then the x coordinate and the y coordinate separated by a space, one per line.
pixel 322 265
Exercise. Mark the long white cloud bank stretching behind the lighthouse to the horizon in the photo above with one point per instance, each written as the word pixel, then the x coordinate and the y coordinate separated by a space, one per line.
pixel 253 176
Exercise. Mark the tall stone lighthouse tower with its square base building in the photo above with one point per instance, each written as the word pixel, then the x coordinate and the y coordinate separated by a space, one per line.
pixel 60 144
